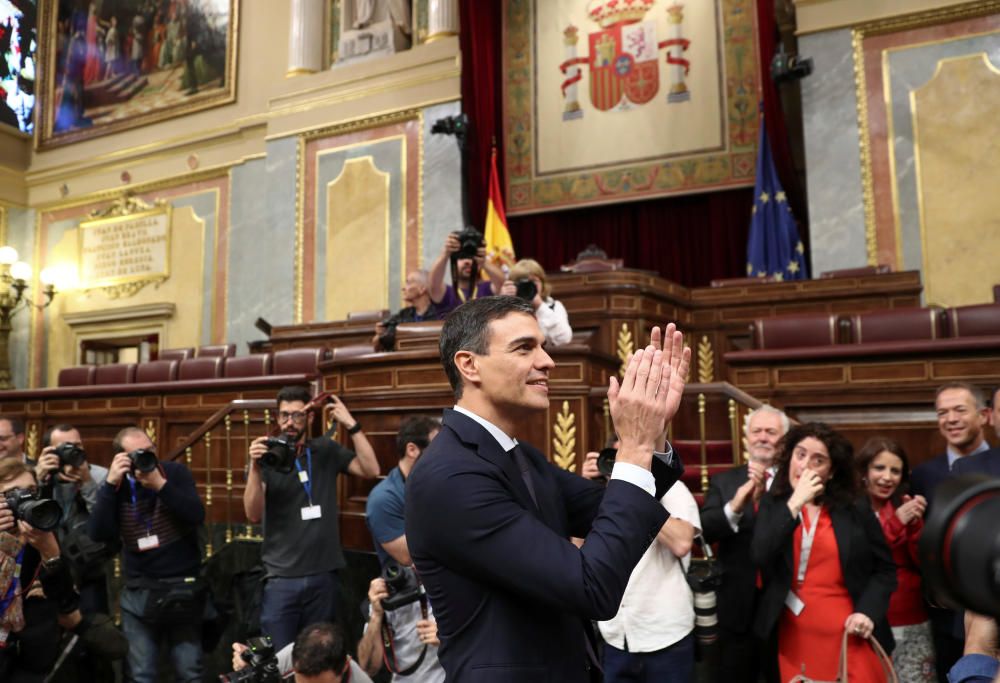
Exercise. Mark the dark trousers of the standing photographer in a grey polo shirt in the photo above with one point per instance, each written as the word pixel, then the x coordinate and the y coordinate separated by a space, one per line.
pixel 292 603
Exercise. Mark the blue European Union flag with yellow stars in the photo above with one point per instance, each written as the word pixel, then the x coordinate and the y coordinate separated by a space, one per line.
pixel 774 247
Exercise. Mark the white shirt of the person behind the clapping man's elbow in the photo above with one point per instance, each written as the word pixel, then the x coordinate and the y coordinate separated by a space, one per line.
pixel 658 607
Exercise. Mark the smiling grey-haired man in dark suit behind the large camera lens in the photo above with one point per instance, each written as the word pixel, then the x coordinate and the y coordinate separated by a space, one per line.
pixel 961 416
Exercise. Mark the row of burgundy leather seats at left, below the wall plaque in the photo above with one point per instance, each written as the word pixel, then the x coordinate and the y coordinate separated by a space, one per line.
pixel 300 361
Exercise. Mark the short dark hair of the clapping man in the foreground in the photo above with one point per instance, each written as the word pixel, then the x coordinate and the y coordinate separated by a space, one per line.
pixel 467 329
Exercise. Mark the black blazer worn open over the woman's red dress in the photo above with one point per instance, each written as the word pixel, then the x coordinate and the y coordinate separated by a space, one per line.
pixel 869 571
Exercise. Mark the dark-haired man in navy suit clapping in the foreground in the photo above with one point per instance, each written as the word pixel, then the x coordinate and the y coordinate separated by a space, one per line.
pixel 488 519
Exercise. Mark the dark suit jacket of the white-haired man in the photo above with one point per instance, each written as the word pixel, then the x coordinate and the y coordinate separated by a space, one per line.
pixel 736 595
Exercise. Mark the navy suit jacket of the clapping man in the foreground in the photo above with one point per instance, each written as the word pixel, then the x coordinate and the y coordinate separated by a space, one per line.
pixel 510 592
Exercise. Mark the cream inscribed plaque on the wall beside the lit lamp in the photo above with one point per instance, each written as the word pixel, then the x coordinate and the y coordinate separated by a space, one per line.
pixel 132 248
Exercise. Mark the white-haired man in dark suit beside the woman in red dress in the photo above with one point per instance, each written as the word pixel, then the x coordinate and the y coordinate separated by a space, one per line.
pixel 727 518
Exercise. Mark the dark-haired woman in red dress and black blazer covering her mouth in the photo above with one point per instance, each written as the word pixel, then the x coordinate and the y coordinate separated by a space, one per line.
pixel 816 475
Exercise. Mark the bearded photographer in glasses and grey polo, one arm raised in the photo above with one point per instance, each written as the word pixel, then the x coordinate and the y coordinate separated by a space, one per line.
pixel 301 551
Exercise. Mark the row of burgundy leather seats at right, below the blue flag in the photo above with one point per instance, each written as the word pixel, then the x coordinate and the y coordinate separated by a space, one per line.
pixel 903 329
